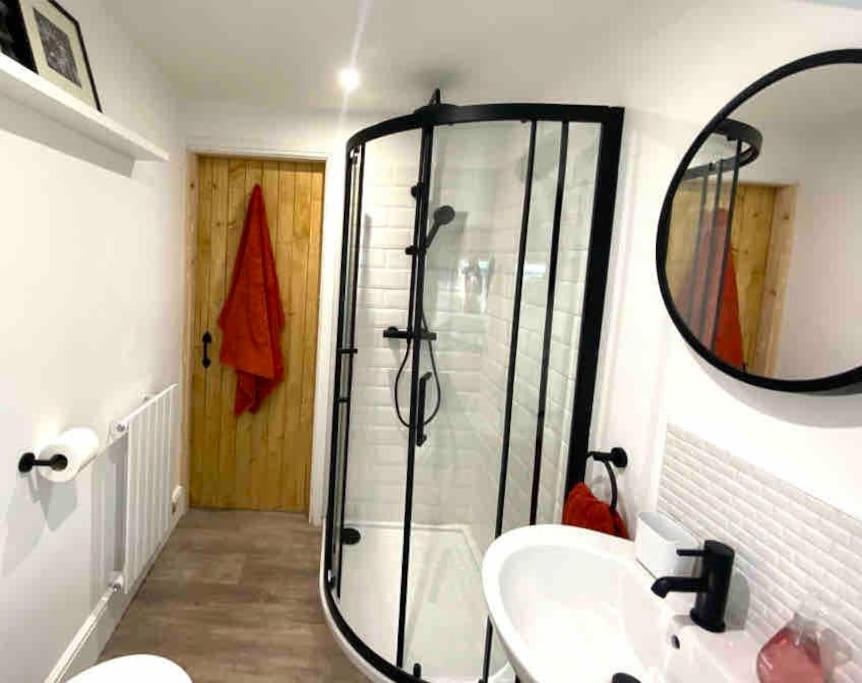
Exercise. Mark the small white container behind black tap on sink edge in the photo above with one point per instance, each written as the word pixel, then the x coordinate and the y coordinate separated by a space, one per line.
pixel 656 542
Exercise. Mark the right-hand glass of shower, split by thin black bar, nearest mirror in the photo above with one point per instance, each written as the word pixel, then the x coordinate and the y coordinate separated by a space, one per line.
pixel 531 417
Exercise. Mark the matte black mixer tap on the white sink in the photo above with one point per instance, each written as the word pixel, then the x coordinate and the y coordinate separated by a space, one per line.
pixel 712 586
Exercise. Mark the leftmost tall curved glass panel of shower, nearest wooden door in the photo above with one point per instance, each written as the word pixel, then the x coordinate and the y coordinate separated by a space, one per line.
pixel 376 466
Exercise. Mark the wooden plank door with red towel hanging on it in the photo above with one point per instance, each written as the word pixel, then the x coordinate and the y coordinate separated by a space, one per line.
pixel 260 461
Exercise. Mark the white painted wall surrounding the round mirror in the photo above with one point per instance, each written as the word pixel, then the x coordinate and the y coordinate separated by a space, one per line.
pixel 672 81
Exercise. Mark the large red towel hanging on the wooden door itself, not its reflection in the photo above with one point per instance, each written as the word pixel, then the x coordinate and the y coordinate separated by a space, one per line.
pixel 252 316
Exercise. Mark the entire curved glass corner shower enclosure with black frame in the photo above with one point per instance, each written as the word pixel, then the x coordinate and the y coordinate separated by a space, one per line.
pixel 473 272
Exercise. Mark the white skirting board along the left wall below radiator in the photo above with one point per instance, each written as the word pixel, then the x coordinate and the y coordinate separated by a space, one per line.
pixel 85 647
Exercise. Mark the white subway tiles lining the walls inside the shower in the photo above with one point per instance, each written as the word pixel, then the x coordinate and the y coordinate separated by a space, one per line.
pixel 457 474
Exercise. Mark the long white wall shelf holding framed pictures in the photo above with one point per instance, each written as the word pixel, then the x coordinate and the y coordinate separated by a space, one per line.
pixel 26 87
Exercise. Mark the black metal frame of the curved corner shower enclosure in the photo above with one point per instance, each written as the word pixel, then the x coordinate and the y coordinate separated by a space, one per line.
pixel 425 119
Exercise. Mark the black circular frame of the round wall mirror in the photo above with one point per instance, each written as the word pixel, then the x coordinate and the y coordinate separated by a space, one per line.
pixel 848 382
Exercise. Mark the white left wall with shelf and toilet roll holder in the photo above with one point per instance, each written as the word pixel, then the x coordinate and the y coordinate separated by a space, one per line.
pixel 91 270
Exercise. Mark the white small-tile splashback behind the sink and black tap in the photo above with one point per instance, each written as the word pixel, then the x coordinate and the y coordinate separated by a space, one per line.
pixel 788 544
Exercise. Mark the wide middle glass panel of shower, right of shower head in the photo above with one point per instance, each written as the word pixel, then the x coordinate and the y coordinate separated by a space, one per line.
pixel 478 171
